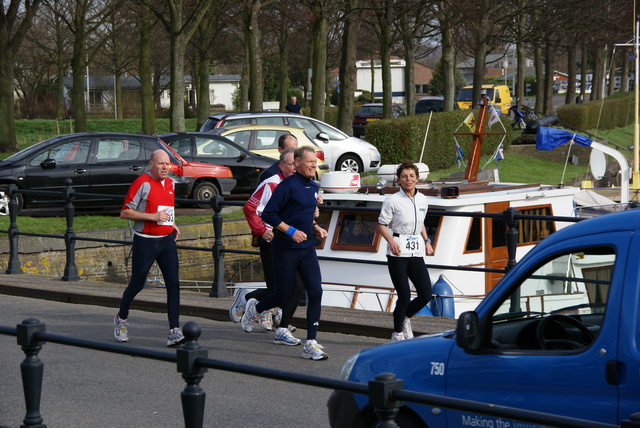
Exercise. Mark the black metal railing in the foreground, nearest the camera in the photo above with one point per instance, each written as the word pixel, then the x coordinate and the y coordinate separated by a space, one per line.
pixel 386 393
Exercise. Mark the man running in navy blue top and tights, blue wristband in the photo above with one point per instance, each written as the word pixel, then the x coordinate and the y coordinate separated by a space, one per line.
pixel 291 212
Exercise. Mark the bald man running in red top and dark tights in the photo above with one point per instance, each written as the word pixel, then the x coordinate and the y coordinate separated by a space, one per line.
pixel 149 203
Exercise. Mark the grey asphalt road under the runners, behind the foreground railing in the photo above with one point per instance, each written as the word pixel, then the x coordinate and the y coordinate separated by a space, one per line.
pixel 90 388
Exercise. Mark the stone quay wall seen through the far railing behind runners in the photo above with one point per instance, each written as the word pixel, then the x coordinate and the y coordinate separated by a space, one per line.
pixel 112 262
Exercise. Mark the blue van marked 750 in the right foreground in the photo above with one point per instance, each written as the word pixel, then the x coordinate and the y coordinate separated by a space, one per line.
pixel 559 334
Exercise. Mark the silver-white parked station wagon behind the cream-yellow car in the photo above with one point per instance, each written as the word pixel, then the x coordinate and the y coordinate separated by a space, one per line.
pixel 342 152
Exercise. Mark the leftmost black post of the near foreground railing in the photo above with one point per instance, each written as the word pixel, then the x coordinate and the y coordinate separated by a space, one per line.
pixel 32 369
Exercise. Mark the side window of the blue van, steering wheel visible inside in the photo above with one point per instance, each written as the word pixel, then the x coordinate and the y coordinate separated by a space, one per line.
pixel 560 306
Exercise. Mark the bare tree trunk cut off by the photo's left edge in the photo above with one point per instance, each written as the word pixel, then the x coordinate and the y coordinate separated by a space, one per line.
pixel 15 22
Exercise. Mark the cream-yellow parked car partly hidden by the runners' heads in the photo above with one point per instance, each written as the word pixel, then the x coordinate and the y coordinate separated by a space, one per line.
pixel 263 140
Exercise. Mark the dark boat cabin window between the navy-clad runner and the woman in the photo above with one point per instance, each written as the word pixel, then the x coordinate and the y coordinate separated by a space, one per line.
pixel 356 232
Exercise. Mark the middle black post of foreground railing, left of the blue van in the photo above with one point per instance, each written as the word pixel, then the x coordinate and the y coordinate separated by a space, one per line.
pixel 193 397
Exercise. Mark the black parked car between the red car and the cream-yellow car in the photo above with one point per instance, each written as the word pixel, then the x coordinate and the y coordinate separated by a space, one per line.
pixel 216 149
